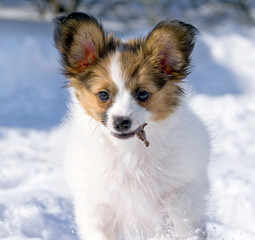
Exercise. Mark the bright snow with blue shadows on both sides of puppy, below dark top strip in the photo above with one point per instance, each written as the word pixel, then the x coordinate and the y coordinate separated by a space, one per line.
pixel 33 201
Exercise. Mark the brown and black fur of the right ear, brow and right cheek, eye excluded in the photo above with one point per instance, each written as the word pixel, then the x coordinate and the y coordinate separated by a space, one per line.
pixel 156 63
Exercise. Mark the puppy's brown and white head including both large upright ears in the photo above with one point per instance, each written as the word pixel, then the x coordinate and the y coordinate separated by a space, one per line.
pixel 124 85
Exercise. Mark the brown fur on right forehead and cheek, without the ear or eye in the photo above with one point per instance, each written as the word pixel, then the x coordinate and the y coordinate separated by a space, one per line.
pixel 143 73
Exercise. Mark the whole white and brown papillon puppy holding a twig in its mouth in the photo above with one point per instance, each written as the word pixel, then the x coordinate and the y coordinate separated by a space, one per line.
pixel 128 180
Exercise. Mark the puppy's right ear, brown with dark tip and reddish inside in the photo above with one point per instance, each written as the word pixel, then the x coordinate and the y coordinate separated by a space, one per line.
pixel 171 43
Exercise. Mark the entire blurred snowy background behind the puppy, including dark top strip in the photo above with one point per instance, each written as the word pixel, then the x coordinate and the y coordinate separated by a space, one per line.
pixel 33 203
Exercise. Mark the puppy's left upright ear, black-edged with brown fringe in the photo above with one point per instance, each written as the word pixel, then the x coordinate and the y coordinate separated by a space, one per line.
pixel 80 40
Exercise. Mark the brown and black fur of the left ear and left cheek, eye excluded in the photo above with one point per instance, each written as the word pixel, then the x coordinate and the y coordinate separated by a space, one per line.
pixel 85 51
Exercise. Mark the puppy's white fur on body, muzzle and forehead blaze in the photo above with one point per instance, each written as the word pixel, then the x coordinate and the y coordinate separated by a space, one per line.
pixel 122 188
